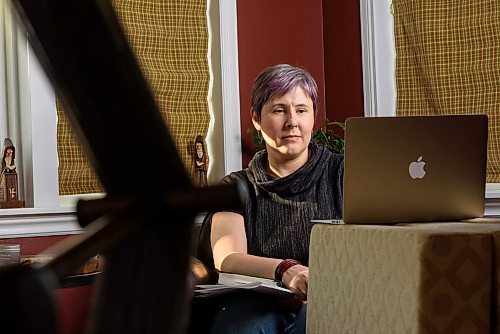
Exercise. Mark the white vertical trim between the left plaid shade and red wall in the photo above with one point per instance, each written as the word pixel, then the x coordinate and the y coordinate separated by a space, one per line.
pixel 223 137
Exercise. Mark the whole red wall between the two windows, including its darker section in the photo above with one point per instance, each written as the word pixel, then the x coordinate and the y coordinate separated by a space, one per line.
pixel 321 35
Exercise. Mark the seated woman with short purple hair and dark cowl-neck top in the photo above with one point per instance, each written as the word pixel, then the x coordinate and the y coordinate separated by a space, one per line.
pixel 291 182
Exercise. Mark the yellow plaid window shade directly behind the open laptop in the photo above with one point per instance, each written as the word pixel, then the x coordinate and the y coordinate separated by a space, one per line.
pixel 448 62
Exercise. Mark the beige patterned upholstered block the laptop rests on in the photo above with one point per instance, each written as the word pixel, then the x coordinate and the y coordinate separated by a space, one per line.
pixel 425 278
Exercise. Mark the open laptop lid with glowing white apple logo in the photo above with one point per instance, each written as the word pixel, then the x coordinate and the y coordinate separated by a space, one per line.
pixel 417 168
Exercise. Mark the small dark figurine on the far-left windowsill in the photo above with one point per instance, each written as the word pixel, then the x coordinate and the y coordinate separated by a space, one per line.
pixel 8 179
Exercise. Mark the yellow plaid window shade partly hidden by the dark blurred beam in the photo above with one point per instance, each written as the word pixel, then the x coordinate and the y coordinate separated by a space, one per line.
pixel 170 41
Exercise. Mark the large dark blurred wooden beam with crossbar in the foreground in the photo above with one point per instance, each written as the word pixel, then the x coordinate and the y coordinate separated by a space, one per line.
pixel 143 227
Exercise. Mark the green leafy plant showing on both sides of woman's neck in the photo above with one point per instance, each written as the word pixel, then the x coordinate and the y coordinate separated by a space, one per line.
pixel 325 136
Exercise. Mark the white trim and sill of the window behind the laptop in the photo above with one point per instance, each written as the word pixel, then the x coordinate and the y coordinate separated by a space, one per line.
pixel 379 73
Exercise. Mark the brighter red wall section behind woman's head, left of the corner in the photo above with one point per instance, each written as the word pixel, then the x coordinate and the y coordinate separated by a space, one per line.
pixel 273 32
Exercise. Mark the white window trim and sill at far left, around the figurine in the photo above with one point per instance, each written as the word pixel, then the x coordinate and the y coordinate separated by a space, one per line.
pixel 26 89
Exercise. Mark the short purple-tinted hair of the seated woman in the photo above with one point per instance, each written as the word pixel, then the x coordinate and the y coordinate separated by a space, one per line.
pixel 277 80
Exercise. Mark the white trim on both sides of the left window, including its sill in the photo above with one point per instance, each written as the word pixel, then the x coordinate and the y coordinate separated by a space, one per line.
pixel 34 129
